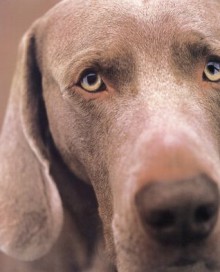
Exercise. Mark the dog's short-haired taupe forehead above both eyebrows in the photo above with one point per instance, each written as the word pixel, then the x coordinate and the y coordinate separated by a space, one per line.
pixel 75 25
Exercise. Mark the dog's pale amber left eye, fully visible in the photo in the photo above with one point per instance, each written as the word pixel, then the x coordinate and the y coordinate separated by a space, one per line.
pixel 91 81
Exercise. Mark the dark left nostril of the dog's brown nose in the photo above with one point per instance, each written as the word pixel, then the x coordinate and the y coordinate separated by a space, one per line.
pixel 161 219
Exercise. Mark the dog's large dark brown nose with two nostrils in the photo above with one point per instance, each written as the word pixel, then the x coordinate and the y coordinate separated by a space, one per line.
pixel 179 212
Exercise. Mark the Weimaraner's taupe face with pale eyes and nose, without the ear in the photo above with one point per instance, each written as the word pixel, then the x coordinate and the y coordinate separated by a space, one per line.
pixel 131 91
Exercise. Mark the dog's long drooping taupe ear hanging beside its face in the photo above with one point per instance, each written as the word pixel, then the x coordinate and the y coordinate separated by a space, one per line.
pixel 31 212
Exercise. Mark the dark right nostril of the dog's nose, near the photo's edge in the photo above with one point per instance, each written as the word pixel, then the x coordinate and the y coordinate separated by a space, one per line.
pixel 205 213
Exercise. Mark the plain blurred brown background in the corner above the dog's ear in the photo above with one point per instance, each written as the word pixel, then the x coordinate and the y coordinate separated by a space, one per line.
pixel 15 18
